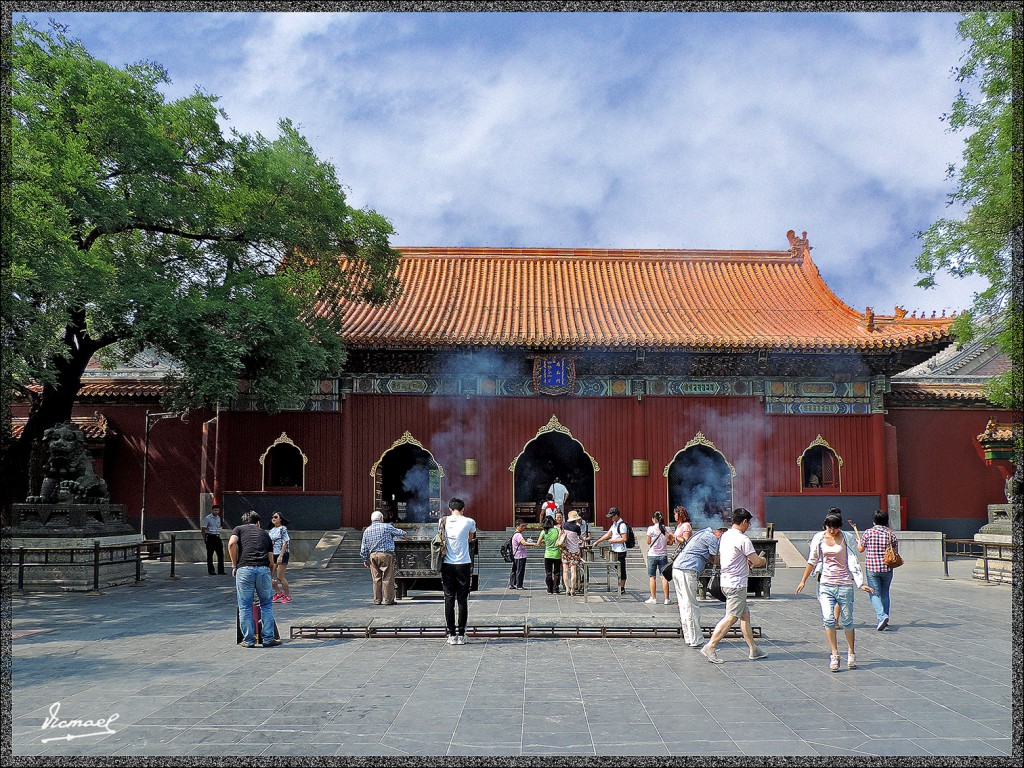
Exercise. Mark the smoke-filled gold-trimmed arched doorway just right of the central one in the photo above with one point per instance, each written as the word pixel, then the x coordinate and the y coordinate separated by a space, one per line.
pixel 701 480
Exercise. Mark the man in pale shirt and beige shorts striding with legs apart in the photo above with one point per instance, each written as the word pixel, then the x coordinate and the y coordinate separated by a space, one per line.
pixel 736 553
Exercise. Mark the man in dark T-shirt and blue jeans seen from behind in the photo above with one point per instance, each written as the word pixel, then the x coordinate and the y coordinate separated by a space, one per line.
pixel 252 562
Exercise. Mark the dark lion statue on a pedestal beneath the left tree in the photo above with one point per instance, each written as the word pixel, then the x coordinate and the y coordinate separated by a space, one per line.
pixel 69 477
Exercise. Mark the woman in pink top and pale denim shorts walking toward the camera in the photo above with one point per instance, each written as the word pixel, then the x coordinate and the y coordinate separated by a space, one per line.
pixel 840 571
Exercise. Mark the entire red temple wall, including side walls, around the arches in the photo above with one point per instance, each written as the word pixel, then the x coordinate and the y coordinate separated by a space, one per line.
pixel 941 475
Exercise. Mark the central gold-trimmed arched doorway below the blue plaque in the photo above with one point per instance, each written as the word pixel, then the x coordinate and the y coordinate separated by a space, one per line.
pixel 554 453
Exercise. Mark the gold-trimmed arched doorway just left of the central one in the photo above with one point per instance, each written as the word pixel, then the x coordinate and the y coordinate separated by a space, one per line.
pixel 408 483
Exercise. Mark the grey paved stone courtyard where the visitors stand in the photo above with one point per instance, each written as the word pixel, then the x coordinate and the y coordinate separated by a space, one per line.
pixel 162 657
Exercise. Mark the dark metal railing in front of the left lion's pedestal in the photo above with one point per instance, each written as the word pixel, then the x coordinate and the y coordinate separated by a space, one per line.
pixel 99 556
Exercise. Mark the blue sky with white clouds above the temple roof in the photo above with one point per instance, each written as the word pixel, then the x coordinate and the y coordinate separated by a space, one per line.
pixel 603 131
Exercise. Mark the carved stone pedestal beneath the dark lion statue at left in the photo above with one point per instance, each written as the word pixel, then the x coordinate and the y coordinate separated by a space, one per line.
pixel 59 543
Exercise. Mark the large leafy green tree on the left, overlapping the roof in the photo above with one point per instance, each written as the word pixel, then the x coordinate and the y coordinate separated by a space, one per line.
pixel 133 222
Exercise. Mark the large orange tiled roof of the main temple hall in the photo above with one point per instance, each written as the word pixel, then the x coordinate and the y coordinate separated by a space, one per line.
pixel 556 298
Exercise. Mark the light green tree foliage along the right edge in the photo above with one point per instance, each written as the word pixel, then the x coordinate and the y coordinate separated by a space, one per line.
pixel 987 240
